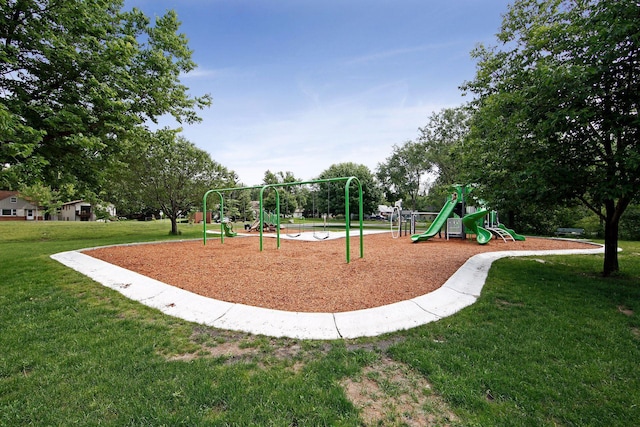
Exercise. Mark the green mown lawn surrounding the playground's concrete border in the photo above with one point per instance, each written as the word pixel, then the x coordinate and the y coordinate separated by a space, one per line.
pixel 549 342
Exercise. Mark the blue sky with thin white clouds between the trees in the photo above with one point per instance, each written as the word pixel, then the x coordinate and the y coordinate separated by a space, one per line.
pixel 299 85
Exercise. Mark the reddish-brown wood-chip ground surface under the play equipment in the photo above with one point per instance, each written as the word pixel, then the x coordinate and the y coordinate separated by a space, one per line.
pixel 311 276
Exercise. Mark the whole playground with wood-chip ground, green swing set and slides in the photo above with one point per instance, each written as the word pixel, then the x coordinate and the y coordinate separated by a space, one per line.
pixel 303 273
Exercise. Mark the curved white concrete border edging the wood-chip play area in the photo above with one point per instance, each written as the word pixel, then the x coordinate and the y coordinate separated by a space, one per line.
pixel 461 290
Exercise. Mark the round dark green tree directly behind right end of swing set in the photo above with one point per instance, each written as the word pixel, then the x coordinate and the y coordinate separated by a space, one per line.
pixel 332 194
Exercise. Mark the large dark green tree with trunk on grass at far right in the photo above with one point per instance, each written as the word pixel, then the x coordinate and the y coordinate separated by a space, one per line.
pixel 556 109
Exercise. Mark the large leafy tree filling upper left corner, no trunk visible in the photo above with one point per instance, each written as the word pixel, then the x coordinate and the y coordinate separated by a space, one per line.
pixel 75 77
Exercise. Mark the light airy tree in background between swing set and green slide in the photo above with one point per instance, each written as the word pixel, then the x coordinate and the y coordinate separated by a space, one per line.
pixel 402 172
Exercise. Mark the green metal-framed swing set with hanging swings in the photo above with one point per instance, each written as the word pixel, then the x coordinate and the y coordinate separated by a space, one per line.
pixel 320 236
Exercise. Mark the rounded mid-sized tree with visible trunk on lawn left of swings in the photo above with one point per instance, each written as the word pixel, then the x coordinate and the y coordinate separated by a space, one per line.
pixel 172 175
